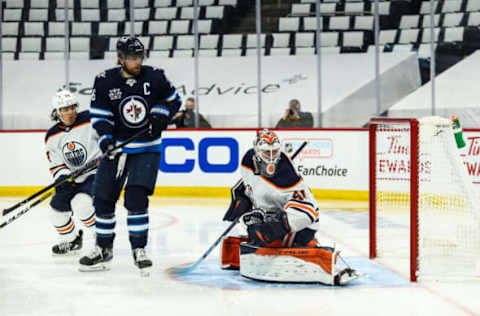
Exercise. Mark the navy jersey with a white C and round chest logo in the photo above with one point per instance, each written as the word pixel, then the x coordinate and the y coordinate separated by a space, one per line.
pixel 120 106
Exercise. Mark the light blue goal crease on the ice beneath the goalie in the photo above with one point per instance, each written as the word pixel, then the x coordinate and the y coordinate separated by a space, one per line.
pixel 209 274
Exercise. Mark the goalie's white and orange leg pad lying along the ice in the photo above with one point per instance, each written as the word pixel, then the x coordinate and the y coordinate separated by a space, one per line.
pixel 310 265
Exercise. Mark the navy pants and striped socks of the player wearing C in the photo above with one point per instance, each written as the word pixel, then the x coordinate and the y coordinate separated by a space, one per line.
pixel 141 171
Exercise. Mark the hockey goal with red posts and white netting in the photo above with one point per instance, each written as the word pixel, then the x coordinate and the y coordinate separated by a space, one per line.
pixel 424 209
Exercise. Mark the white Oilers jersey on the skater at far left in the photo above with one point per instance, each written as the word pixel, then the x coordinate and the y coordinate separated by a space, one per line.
pixel 69 148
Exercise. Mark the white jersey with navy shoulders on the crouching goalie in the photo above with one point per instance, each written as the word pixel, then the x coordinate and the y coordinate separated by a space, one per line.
pixel 285 191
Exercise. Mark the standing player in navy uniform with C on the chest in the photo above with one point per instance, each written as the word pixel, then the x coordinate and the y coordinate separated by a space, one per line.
pixel 125 100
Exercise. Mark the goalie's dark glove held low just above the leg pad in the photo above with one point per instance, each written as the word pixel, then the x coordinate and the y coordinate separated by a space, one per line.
pixel 266 233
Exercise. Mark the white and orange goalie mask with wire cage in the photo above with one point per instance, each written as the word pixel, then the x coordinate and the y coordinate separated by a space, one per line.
pixel 267 153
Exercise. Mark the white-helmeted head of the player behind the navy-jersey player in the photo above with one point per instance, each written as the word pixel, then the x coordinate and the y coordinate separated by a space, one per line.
pixel 64 107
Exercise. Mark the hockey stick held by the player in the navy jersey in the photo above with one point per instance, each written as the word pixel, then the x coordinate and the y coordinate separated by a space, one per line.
pixel 93 164
